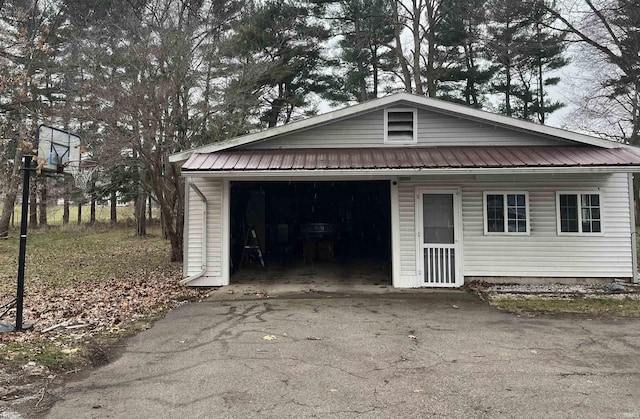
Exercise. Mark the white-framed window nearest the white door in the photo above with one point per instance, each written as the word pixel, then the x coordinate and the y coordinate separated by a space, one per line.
pixel 506 212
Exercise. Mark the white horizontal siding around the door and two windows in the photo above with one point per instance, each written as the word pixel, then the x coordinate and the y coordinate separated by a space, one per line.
pixel 542 253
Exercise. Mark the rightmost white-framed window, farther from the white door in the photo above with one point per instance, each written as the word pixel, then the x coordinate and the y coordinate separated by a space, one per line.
pixel 579 212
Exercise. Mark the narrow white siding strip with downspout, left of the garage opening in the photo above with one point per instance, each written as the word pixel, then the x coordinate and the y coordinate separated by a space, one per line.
pixel 212 189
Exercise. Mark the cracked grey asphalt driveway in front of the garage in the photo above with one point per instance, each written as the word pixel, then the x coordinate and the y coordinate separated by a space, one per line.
pixel 411 355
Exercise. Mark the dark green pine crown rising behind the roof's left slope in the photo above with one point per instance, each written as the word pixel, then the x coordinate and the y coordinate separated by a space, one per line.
pixel 276 57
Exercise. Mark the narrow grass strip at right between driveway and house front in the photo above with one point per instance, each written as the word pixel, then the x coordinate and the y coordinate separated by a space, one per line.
pixel 595 307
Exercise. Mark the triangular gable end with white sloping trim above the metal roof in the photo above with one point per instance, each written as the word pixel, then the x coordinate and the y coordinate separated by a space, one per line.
pixel 439 123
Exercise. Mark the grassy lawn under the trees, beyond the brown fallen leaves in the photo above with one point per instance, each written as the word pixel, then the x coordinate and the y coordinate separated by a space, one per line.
pixel 64 256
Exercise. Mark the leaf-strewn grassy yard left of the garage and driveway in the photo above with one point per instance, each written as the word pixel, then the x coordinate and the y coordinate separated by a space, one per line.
pixel 89 282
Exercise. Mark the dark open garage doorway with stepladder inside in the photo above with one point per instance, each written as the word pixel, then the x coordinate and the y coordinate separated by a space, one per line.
pixel 340 228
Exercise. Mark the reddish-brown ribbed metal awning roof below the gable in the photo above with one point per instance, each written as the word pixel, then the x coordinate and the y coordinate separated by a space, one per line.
pixel 239 160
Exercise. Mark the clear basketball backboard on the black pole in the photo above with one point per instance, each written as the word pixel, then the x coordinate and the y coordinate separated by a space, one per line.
pixel 56 148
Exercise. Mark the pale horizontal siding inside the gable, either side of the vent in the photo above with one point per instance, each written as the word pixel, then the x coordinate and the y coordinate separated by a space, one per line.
pixel 434 129
